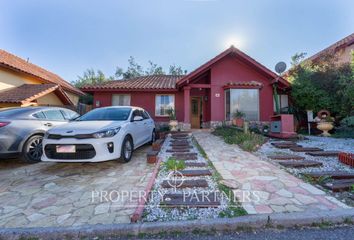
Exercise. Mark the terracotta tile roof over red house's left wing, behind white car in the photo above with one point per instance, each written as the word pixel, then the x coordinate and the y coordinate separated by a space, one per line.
pixel 155 82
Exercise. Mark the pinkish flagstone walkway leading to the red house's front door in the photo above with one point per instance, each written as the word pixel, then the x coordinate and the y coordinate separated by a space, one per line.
pixel 264 188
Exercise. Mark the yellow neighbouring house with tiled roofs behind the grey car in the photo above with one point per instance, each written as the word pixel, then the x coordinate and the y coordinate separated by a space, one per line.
pixel 25 84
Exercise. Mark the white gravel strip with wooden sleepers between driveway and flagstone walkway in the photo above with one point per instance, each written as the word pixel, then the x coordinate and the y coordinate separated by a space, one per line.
pixel 156 208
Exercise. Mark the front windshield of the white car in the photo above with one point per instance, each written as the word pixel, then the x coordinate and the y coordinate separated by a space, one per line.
pixel 106 114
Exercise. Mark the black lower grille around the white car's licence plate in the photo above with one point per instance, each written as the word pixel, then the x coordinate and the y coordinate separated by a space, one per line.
pixel 83 151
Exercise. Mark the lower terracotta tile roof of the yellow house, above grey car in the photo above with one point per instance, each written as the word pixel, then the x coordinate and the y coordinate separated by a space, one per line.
pixel 29 92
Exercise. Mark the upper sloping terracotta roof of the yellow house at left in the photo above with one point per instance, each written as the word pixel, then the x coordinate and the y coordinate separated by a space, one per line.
pixel 11 61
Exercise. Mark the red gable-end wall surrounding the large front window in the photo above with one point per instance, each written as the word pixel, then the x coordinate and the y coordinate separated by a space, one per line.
pixel 230 69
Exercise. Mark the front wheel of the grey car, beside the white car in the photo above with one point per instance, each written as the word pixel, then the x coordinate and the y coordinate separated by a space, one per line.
pixel 32 149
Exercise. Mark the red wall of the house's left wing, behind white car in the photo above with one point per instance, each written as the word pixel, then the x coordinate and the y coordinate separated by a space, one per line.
pixel 145 100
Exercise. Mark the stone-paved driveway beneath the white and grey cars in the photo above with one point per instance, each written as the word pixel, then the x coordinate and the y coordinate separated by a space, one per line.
pixel 71 194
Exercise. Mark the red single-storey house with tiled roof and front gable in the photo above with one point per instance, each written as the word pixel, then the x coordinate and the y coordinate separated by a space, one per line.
pixel 205 97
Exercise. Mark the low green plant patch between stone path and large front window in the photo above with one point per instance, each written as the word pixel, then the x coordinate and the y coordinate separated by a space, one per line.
pixel 247 141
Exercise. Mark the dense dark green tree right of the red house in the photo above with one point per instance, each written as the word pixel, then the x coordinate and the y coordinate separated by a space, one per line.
pixel 322 84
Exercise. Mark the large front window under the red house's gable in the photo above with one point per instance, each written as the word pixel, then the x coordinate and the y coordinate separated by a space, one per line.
pixel 243 100
